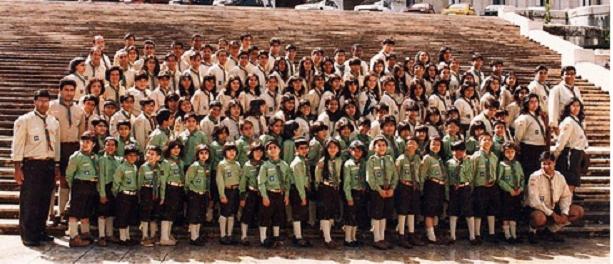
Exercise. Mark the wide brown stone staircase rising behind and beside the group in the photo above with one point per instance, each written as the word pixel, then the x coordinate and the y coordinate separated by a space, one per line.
pixel 40 38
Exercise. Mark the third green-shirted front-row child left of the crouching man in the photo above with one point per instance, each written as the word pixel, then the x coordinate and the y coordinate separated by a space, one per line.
pixel 460 174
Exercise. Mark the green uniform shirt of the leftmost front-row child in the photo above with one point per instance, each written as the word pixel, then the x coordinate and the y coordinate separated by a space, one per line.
pixel 81 166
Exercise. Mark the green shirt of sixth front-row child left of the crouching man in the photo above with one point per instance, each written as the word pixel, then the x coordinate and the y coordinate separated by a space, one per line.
pixel 381 173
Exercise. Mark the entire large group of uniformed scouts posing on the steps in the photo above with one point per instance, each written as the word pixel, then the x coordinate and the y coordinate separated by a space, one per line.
pixel 258 138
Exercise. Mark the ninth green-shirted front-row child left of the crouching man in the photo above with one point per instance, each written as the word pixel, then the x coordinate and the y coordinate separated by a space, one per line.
pixel 300 184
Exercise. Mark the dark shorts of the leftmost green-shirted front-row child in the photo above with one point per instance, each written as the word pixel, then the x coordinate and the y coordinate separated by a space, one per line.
pixel 83 199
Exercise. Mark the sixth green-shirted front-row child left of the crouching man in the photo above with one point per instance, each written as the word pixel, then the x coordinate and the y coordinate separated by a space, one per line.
pixel 382 178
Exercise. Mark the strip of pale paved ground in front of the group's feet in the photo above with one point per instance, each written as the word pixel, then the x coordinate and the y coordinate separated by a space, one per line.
pixel 591 251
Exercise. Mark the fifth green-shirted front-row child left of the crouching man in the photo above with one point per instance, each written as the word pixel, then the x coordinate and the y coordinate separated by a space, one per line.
pixel 408 194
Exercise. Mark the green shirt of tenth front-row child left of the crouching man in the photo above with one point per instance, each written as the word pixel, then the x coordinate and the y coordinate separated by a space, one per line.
pixel 274 175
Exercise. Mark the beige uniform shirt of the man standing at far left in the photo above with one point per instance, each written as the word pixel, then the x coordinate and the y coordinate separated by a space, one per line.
pixel 30 141
